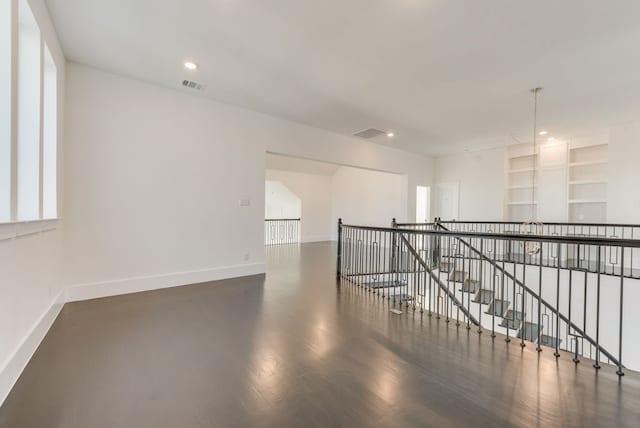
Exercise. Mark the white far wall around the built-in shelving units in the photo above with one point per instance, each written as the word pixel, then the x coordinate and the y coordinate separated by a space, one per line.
pixel 481 178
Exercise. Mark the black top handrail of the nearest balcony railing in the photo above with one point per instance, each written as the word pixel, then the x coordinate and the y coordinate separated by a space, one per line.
pixel 576 240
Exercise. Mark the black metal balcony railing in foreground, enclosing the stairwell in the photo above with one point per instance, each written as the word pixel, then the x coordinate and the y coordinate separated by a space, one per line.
pixel 520 285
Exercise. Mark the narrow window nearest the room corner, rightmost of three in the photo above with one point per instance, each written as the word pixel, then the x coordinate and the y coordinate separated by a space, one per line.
pixel 49 137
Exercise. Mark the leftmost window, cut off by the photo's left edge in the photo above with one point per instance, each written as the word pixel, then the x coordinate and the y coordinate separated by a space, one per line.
pixel 5 110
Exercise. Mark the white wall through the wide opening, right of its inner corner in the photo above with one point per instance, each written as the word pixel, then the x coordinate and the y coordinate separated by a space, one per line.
pixel 371 198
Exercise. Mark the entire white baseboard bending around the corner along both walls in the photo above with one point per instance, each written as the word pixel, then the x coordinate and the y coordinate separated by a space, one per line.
pixel 15 364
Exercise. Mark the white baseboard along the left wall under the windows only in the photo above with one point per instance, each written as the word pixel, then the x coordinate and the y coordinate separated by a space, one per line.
pixel 19 359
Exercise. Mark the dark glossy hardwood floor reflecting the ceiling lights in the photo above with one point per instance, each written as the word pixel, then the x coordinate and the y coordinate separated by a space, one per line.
pixel 295 350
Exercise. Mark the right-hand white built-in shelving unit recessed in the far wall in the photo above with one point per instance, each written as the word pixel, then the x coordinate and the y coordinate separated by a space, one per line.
pixel 587 184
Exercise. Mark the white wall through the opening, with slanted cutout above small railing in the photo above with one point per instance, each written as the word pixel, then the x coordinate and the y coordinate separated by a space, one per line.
pixel 314 192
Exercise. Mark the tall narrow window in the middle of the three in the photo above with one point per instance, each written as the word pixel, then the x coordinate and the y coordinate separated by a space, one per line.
pixel 29 71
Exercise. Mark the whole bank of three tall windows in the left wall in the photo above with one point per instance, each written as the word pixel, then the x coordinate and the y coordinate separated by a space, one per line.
pixel 28 117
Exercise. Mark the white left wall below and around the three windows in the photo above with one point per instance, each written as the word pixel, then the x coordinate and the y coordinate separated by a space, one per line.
pixel 30 280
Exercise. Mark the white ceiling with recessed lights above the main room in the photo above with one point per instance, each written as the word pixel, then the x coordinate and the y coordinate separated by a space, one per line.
pixel 444 75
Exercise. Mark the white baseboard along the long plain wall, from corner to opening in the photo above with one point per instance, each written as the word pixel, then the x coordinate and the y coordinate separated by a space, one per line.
pixel 154 282
